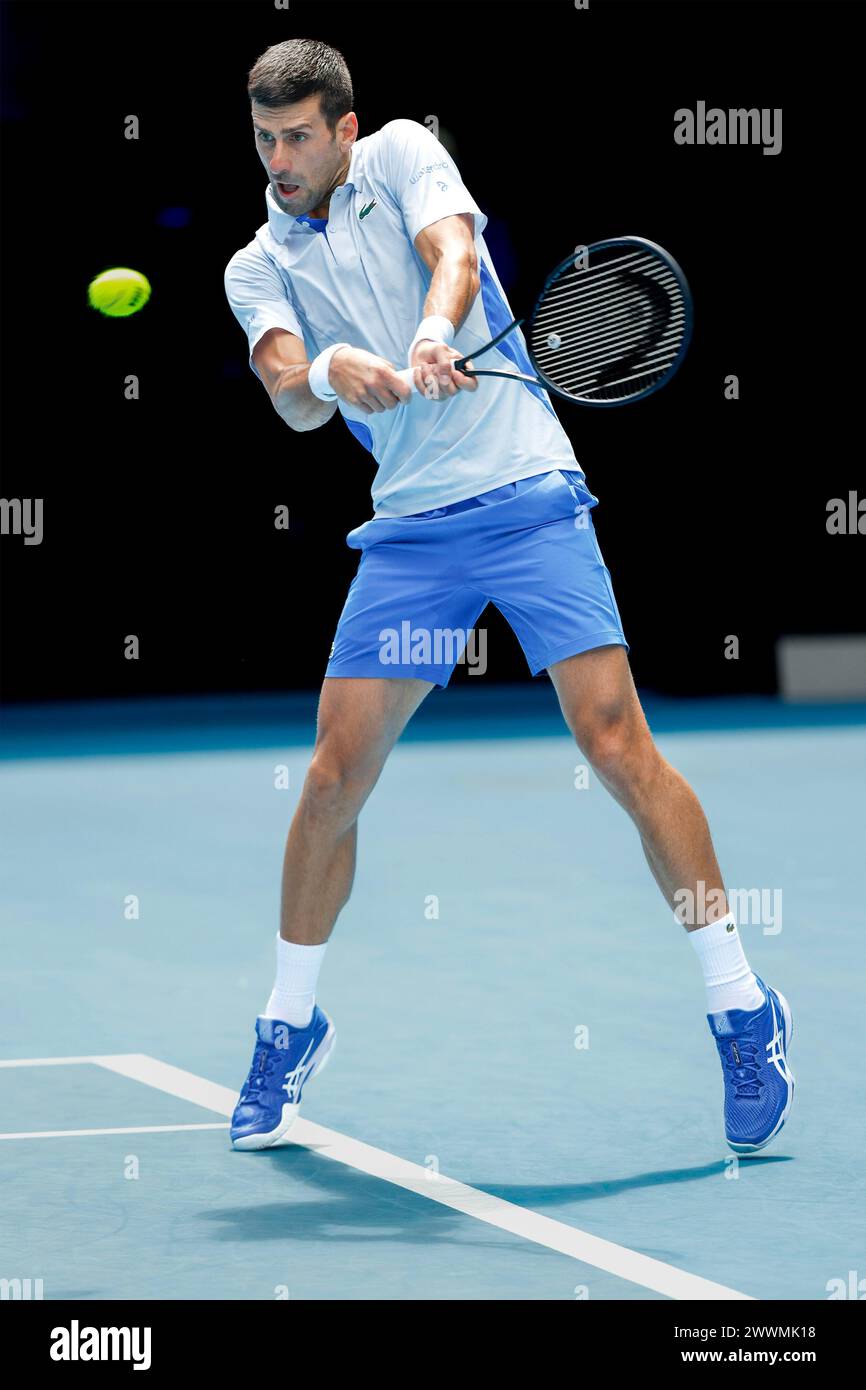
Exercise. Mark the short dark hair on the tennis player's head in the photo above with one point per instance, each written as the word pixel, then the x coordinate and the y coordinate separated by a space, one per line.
pixel 297 69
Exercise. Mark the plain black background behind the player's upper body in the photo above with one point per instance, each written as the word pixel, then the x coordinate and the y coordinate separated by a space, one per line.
pixel 159 512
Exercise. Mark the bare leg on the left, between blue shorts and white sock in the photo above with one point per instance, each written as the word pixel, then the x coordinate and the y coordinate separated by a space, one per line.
pixel 359 723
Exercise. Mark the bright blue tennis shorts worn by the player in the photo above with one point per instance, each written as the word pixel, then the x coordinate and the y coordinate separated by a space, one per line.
pixel 423 582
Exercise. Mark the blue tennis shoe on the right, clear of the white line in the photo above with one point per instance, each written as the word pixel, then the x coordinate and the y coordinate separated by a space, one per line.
pixel 758 1081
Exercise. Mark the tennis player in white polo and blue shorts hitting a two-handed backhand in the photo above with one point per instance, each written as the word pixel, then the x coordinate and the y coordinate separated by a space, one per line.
pixel 373 259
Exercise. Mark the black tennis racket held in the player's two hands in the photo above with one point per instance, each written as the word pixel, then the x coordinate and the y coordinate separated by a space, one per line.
pixel 610 327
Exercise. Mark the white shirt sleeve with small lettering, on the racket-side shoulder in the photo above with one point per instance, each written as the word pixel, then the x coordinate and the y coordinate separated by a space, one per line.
pixel 423 177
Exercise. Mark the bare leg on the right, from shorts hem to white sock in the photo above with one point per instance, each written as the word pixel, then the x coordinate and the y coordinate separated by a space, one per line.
pixel 601 707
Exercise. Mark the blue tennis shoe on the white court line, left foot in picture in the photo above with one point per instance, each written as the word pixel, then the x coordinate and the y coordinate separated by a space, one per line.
pixel 284 1061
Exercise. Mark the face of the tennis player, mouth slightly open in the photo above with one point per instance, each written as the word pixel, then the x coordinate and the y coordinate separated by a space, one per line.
pixel 305 163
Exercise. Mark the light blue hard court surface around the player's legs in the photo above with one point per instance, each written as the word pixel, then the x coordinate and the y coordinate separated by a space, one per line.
pixel 459 1145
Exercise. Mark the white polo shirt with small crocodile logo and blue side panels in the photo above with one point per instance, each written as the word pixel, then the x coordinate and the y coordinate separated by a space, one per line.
pixel 358 279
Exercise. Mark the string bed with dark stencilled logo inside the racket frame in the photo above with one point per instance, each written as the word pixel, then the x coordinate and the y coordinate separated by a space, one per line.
pixel 612 330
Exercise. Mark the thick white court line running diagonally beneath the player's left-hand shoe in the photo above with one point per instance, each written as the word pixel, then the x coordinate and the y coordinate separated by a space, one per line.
pixel 518 1221
